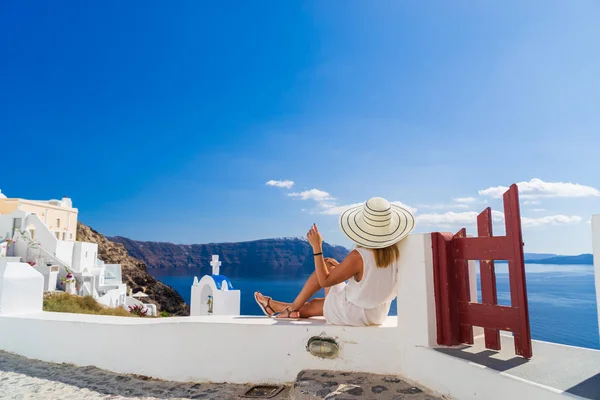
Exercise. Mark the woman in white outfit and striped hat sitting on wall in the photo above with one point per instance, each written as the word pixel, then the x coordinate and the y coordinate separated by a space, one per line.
pixel 371 269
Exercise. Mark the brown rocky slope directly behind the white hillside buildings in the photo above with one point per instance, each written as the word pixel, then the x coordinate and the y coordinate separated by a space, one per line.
pixel 134 272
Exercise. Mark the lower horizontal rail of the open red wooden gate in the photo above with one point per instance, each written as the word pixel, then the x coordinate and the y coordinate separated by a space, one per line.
pixel 494 317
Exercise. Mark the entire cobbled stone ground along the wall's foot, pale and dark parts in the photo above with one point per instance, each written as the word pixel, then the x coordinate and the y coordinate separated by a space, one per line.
pixel 23 378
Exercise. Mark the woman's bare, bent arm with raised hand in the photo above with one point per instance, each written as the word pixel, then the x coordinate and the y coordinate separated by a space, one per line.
pixel 351 265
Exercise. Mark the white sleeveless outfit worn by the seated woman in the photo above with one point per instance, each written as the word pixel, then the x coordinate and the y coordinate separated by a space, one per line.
pixel 366 302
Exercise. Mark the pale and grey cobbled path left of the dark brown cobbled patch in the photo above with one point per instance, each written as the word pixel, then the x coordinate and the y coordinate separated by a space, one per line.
pixel 22 378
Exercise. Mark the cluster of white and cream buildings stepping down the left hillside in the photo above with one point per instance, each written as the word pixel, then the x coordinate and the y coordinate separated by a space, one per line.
pixel 43 234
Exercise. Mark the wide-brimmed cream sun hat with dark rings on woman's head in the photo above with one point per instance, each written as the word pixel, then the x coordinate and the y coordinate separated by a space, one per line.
pixel 377 223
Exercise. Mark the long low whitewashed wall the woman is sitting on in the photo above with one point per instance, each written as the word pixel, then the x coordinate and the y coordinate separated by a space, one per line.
pixel 225 349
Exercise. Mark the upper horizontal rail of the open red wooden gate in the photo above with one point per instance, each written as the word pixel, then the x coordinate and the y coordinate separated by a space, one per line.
pixel 483 248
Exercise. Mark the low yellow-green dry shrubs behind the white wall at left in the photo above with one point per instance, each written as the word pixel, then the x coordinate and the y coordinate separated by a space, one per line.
pixel 65 302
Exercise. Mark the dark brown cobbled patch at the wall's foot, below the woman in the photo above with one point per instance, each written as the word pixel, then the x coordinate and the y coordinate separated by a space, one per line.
pixel 328 385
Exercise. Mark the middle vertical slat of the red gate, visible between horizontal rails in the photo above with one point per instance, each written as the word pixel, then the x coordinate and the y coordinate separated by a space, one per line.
pixel 488 279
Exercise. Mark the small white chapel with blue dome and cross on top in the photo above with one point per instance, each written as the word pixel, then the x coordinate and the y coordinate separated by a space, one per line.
pixel 214 294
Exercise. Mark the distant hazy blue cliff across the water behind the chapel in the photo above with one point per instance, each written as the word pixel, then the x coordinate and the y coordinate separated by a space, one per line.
pixel 283 258
